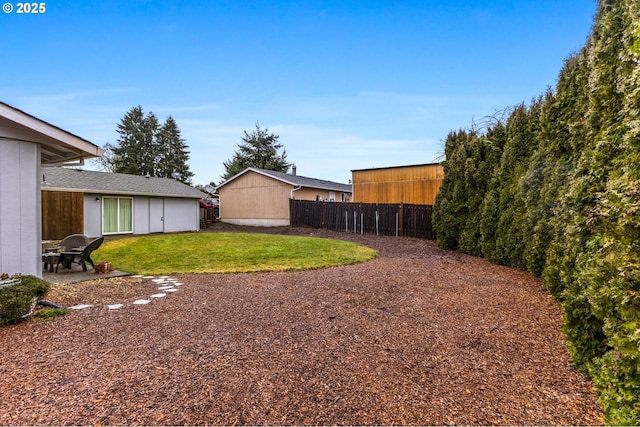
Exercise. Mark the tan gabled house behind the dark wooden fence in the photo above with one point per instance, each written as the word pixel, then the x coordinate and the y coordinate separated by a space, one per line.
pixel 260 197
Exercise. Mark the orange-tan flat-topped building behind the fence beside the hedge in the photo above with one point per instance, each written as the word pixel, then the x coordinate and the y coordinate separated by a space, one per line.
pixel 416 184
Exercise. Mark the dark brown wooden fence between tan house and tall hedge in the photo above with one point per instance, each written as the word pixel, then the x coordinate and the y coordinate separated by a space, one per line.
pixel 364 218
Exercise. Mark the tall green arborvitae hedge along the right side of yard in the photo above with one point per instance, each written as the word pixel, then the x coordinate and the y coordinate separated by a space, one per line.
pixel 555 189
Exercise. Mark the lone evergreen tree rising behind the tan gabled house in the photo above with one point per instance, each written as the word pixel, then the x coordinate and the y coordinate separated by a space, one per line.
pixel 259 149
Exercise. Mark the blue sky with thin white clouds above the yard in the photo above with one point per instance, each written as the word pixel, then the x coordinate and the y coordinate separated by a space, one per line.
pixel 345 84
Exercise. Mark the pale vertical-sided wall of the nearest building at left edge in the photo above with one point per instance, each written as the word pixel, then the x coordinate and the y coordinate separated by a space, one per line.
pixel 20 228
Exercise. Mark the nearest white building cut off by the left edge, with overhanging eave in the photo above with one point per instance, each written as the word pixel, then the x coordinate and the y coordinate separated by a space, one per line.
pixel 26 143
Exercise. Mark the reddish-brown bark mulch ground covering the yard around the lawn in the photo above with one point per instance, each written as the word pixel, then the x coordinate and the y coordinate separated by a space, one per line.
pixel 418 336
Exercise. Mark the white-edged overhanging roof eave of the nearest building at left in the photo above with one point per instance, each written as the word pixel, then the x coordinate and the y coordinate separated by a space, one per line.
pixel 56 144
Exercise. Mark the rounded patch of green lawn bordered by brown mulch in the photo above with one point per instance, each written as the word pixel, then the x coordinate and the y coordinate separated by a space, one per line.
pixel 227 253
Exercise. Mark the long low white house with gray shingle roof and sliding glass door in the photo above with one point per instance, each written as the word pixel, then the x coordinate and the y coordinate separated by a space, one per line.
pixel 100 203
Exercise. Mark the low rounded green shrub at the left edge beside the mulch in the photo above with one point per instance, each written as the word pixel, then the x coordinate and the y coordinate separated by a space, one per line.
pixel 16 301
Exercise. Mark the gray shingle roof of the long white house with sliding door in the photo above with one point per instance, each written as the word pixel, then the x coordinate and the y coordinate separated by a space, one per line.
pixel 63 179
